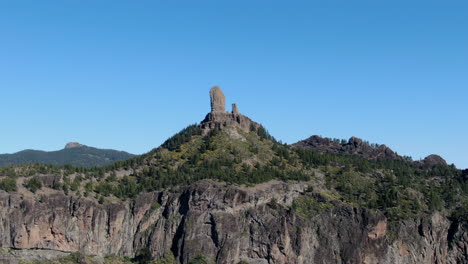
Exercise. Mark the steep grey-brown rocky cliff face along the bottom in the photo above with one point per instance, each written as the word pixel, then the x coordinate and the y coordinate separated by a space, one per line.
pixel 227 224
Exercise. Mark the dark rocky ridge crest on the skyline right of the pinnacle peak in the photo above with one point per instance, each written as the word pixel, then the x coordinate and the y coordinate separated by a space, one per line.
pixel 354 146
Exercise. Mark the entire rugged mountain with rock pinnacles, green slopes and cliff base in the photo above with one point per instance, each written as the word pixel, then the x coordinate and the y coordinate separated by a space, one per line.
pixel 226 191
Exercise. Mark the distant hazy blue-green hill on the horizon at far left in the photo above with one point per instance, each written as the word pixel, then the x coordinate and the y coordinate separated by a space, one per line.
pixel 74 154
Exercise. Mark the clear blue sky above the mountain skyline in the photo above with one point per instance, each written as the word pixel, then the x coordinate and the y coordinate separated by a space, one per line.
pixel 129 74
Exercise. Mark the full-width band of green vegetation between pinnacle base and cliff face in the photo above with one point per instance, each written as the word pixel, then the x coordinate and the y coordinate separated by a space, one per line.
pixel 401 189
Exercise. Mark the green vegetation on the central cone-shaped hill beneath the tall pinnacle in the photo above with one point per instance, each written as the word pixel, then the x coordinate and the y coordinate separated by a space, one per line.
pixel 188 157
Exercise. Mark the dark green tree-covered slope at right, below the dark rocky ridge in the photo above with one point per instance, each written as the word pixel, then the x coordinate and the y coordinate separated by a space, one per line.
pixel 400 188
